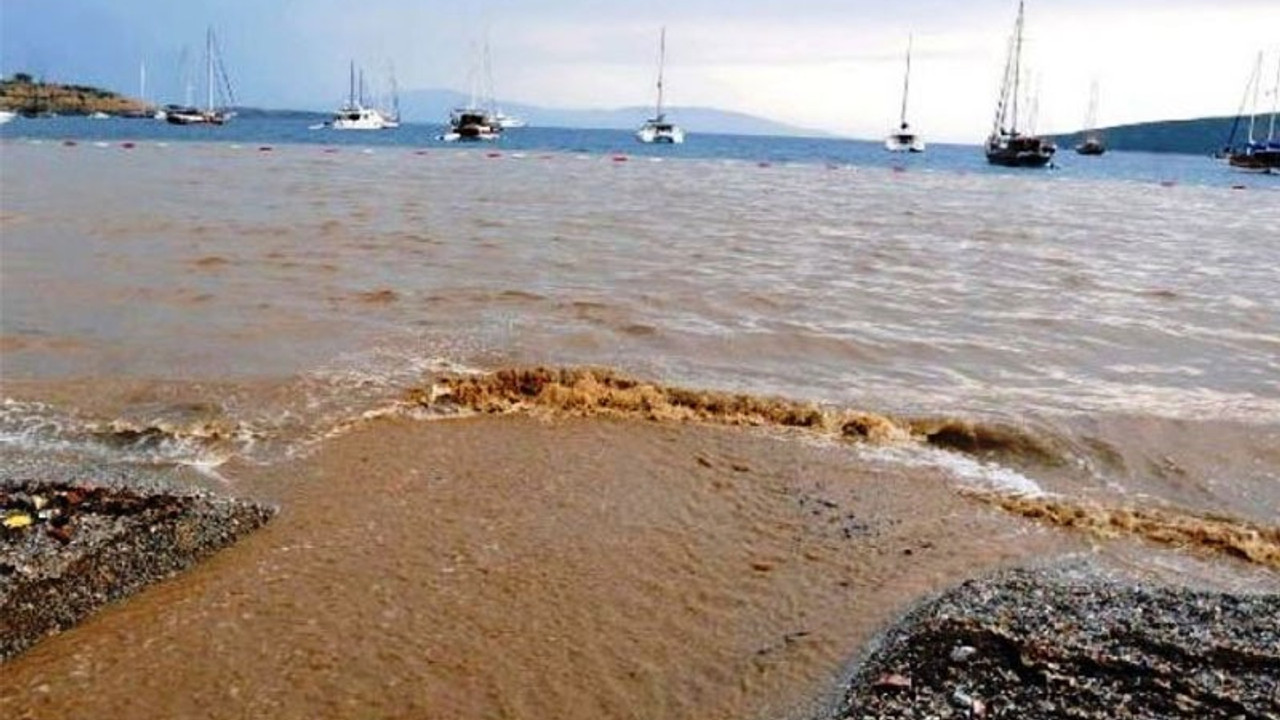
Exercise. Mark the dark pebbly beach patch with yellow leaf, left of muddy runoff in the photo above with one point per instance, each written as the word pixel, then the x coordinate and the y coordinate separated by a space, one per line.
pixel 68 549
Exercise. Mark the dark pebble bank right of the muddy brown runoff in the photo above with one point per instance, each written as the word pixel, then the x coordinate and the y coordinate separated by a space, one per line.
pixel 1071 642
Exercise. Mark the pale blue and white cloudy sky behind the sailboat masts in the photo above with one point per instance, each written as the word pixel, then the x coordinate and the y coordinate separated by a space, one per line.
pixel 835 66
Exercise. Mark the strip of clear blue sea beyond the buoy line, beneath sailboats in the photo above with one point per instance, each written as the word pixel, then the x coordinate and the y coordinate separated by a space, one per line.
pixel 1136 167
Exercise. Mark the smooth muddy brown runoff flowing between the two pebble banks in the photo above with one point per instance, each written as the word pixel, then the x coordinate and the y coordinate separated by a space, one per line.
pixel 523 568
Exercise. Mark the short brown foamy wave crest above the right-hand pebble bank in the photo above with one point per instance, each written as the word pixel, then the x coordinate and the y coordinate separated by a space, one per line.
pixel 1173 527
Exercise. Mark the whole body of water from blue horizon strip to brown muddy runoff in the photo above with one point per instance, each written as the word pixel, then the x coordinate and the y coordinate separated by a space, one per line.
pixel 271 311
